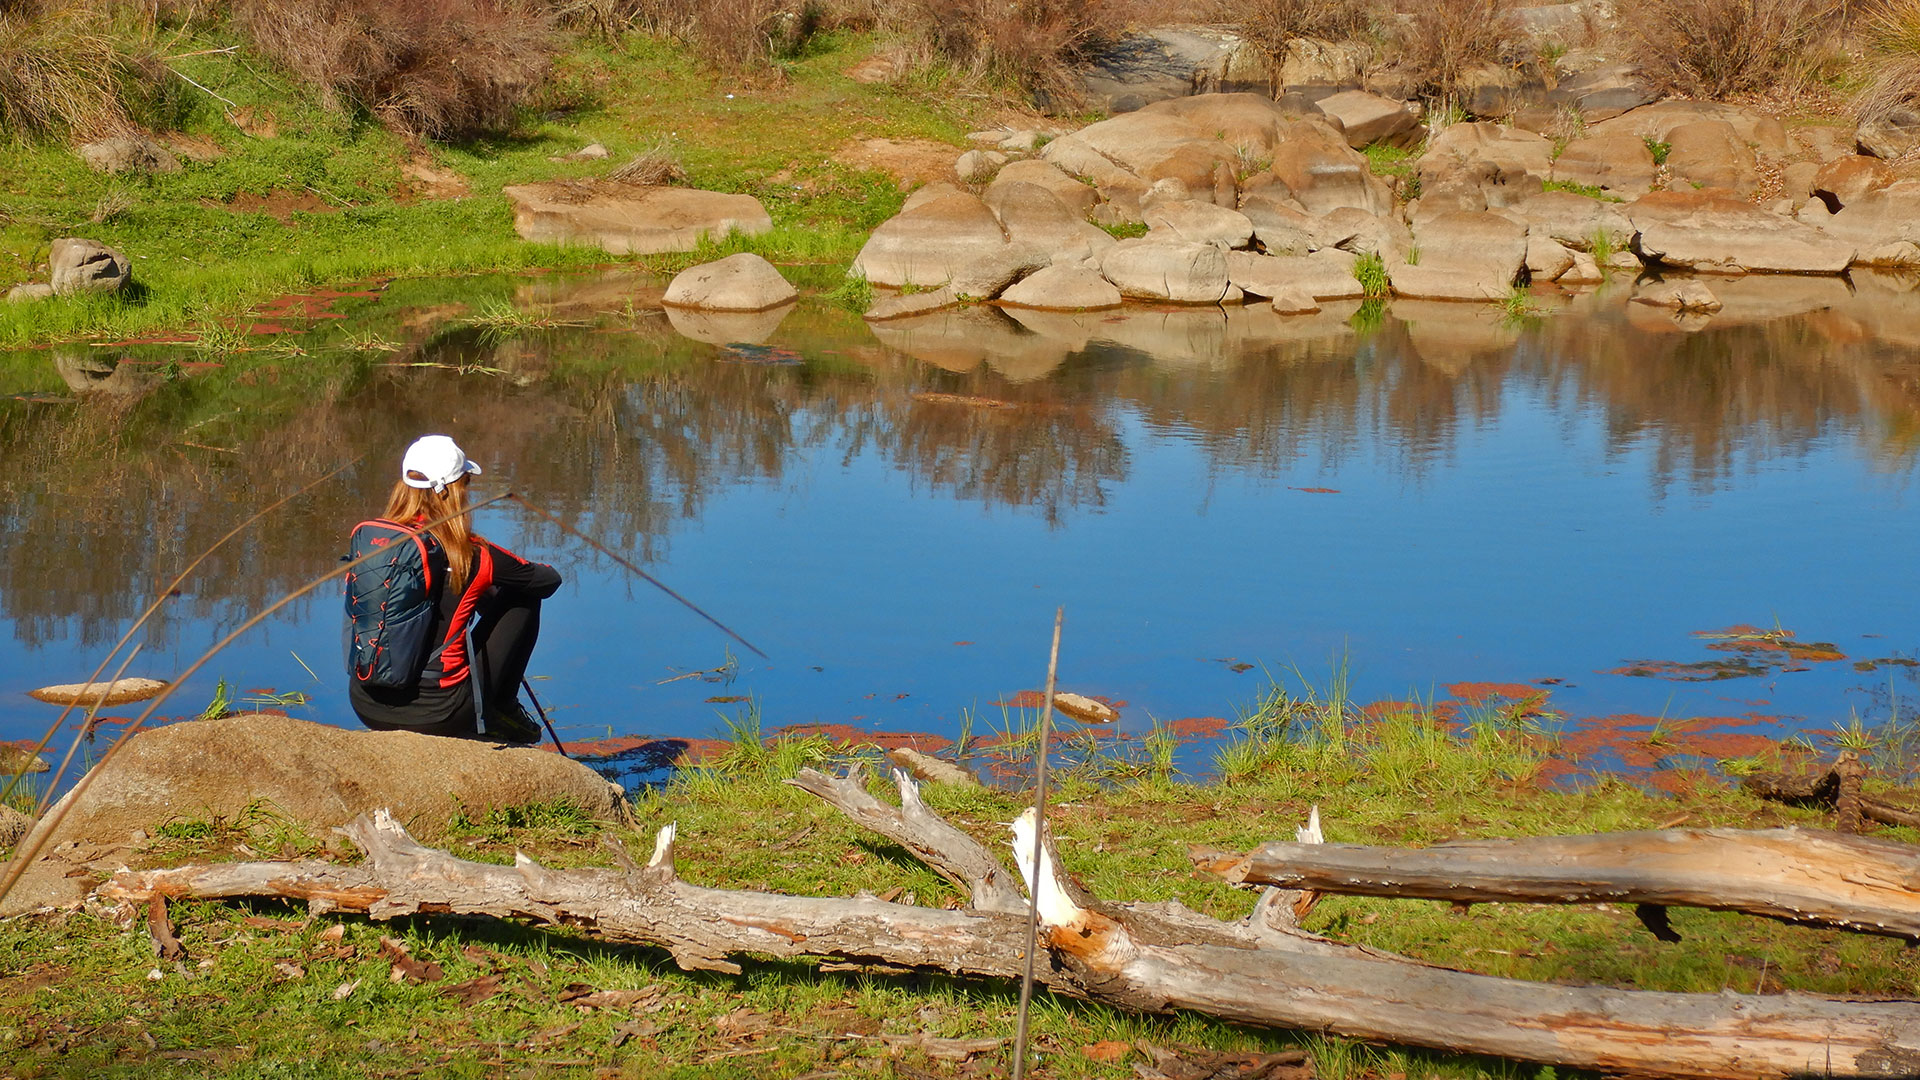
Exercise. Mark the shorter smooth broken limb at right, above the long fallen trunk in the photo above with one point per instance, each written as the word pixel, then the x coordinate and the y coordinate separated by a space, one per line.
pixel 1796 875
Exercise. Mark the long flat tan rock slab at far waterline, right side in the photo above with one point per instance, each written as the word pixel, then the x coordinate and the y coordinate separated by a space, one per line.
pixel 1721 233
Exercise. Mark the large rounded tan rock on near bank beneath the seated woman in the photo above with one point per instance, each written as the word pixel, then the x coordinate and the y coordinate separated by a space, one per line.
pixel 312 775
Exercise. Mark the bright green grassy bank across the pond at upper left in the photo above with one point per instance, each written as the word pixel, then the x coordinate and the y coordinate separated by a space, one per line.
pixel 337 197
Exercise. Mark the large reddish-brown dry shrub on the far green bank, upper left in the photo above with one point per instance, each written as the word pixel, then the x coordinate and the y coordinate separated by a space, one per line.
pixel 435 68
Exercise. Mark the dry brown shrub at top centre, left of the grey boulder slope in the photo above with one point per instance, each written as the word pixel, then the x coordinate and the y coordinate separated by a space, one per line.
pixel 1028 43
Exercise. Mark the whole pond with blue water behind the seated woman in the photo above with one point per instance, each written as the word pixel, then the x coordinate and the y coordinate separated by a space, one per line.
pixel 1591 510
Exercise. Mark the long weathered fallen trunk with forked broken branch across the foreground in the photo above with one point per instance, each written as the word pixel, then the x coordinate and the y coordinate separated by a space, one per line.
pixel 1143 958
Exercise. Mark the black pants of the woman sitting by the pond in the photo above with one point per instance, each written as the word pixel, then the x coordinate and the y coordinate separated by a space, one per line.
pixel 502 647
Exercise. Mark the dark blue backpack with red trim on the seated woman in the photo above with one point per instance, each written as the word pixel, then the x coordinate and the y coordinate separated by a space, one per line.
pixel 391 602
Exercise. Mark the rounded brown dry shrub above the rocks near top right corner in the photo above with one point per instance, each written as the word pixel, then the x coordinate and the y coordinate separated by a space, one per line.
pixel 1714 49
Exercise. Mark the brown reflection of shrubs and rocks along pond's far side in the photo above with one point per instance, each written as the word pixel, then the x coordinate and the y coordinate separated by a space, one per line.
pixel 122 464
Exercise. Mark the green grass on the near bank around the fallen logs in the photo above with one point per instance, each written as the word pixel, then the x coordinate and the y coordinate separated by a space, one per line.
pixel 266 991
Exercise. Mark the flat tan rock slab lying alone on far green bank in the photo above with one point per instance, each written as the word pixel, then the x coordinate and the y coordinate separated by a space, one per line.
pixel 629 220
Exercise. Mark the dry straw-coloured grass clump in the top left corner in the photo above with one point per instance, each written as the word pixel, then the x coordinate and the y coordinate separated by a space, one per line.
pixel 60 72
